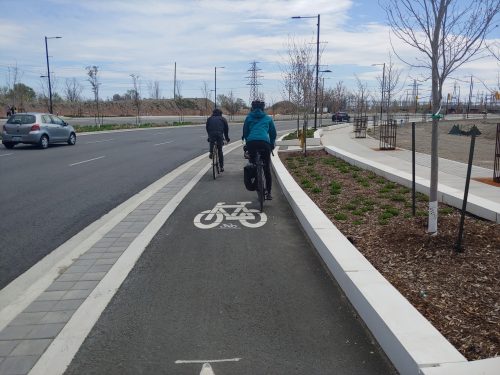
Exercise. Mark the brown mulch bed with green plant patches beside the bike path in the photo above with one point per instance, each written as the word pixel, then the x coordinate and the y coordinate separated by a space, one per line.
pixel 459 293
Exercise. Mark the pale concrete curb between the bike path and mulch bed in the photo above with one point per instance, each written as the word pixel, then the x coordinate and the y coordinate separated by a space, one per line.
pixel 412 344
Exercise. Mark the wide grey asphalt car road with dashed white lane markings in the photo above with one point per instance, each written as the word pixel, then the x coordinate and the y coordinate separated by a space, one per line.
pixel 48 196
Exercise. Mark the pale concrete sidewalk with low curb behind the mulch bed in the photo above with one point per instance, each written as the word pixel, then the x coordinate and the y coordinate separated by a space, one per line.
pixel 483 199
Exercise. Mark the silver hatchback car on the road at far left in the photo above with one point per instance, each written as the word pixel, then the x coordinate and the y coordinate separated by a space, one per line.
pixel 37 128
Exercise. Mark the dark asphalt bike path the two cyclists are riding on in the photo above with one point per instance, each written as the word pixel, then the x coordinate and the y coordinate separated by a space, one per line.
pixel 229 299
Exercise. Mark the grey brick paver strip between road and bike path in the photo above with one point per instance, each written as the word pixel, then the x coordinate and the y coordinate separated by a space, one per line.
pixel 24 340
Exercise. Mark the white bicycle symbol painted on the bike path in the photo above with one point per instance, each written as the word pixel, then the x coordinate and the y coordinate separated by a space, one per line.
pixel 248 217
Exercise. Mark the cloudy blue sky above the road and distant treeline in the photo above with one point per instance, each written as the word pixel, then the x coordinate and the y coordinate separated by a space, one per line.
pixel 147 37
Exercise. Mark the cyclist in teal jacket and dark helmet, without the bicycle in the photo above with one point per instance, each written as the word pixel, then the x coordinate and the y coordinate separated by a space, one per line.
pixel 259 133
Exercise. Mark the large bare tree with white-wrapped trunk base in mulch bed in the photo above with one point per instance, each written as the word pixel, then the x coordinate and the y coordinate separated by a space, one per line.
pixel 448 33
